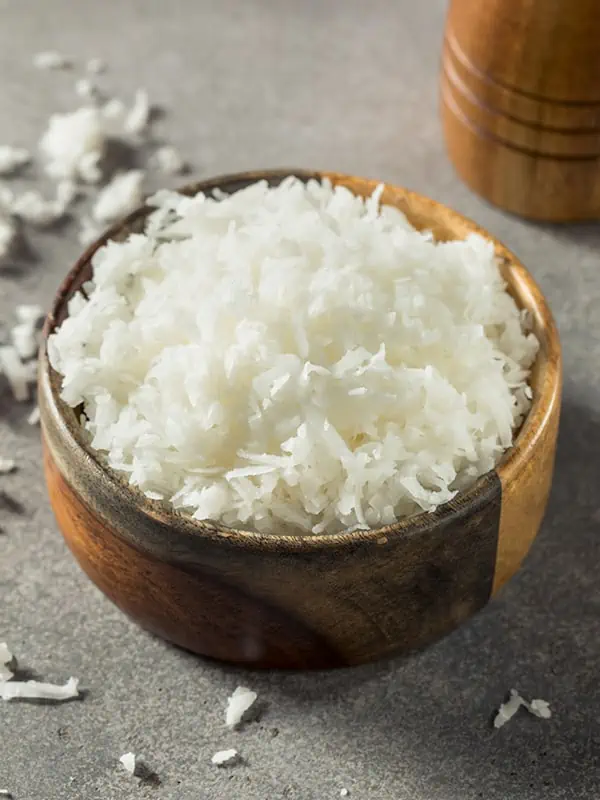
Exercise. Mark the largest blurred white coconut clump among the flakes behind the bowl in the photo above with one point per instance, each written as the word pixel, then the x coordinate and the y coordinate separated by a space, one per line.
pixel 73 144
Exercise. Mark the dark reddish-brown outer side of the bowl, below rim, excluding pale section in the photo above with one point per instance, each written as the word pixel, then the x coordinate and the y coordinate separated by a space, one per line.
pixel 330 607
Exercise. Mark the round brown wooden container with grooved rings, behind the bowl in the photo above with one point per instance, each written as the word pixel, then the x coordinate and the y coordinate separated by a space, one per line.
pixel 520 104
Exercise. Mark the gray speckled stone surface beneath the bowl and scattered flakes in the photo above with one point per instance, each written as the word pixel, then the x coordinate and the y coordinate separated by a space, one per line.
pixel 313 83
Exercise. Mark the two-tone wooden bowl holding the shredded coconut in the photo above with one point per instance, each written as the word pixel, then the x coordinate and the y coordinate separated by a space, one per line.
pixel 305 601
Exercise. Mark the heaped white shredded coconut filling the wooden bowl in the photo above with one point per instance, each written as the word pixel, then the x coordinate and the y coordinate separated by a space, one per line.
pixel 296 356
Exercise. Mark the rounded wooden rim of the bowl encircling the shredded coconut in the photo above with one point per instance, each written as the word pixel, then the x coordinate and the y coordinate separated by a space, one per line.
pixel 520 283
